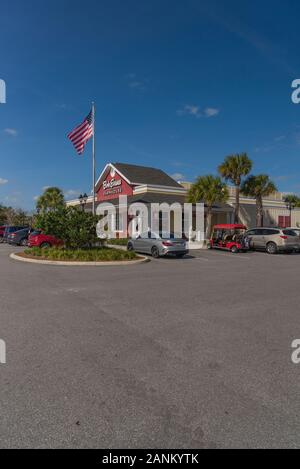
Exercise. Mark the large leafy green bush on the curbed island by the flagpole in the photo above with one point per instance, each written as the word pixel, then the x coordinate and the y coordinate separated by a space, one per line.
pixel 76 228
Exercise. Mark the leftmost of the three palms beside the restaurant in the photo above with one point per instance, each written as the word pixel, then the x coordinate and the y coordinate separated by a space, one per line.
pixel 210 190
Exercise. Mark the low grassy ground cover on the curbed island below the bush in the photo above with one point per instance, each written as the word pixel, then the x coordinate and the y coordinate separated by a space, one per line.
pixel 82 255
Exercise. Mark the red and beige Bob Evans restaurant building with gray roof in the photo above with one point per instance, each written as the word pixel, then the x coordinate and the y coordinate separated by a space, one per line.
pixel 149 186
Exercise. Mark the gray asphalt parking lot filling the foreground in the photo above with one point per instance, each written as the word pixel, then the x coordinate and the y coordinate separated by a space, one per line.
pixel 191 353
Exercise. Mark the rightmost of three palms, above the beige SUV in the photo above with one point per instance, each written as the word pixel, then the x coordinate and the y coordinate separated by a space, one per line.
pixel 258 187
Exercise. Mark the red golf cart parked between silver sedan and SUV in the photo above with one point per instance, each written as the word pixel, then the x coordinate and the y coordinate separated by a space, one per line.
pixel 230 238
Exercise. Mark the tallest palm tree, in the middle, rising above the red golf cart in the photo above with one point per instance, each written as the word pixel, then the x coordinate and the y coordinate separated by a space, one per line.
pixel 233 168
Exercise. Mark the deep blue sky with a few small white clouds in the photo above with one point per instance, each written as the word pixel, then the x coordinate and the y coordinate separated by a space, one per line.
pixel 178 85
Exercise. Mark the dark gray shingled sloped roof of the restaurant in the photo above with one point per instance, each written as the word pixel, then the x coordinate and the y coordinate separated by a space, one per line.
pixel 146 175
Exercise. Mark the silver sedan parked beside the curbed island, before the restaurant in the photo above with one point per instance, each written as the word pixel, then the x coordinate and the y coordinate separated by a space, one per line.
pixel 157 244
